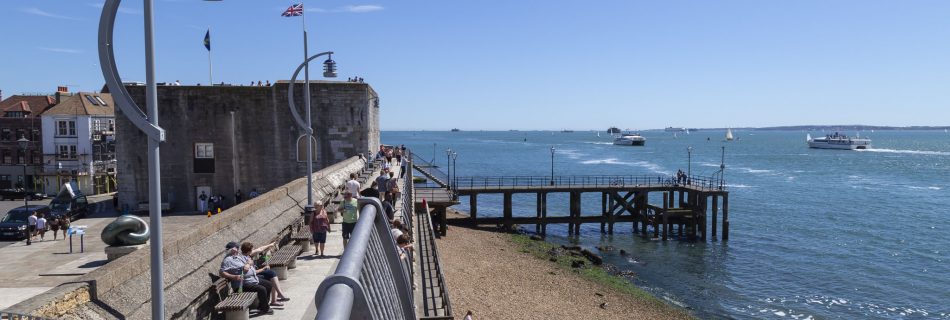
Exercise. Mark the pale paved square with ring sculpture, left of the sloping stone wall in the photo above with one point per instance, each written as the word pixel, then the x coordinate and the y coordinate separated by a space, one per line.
pixel 27 271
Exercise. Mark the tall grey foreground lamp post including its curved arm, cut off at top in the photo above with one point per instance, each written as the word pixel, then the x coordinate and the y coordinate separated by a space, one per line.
pixel 148 123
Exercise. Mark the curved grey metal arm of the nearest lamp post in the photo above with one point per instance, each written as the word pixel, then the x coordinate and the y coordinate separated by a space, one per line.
pixel 111 74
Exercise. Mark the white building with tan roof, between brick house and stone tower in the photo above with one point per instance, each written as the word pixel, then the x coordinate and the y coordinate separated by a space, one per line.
pixel 78 143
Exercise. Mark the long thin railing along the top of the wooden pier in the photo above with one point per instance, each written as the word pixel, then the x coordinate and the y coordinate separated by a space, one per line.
pixel 705 183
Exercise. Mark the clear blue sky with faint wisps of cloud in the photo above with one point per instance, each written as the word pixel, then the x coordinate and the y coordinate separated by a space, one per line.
pixel 528 64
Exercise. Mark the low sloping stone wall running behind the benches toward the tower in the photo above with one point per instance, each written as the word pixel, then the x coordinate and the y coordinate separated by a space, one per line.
pixel 120 289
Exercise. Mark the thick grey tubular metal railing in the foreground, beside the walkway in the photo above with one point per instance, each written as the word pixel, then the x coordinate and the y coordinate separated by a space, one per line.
pixel 370 281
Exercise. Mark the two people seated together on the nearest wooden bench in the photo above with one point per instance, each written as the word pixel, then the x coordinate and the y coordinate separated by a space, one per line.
pixel 246 268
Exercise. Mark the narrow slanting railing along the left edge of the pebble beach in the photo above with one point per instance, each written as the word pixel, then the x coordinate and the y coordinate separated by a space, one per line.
pixel 435 296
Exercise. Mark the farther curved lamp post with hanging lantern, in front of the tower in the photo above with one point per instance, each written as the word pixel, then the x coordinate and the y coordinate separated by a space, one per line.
pixel 329 71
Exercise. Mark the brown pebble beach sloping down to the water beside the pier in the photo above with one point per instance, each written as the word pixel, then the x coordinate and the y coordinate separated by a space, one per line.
pixel 488 274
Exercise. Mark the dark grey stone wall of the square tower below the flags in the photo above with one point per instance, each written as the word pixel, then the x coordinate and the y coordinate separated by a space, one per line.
pixel 254 136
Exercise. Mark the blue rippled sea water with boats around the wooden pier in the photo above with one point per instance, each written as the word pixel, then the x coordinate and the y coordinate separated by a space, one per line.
pixel 814 233
